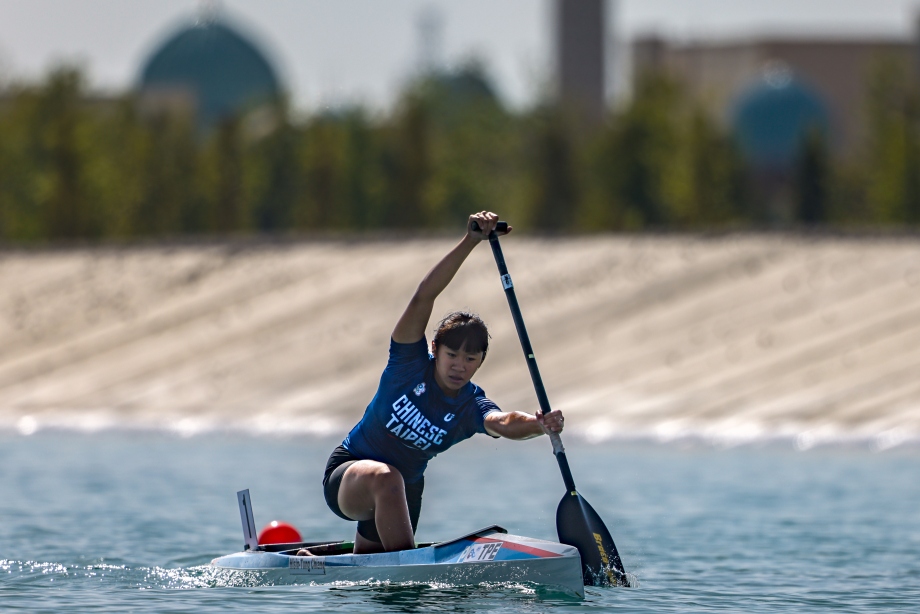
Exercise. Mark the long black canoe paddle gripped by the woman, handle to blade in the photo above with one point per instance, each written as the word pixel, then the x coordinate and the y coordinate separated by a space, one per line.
pixel 576 521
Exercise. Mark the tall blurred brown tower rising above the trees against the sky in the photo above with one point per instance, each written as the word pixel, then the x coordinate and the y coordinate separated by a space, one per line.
pixel 580 48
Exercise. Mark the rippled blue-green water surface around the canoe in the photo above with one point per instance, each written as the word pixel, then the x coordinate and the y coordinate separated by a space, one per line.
pixel 123 521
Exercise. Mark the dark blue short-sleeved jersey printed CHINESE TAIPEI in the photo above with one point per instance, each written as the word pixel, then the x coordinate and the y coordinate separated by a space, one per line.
pixel 410 420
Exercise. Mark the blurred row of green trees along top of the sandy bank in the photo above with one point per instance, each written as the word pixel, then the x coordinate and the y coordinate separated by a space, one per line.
pixel 74 167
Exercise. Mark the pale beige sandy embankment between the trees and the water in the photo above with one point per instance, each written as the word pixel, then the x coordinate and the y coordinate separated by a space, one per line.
pixel 735 338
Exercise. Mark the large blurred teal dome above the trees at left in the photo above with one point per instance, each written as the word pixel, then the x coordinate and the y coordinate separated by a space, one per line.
pixel 224 73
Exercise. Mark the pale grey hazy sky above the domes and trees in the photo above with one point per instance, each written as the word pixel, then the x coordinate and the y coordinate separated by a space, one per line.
pixel 333 52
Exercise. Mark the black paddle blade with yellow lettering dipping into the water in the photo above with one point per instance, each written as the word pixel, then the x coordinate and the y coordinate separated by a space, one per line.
pixel 579 525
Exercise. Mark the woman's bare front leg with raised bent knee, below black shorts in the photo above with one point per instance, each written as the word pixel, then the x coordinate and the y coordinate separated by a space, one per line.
pixel 376 490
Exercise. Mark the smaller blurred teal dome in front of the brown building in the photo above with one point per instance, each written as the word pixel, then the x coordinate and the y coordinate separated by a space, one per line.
pixel 772 118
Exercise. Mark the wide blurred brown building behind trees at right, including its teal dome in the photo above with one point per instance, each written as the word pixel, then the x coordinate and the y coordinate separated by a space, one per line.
pixel 771 89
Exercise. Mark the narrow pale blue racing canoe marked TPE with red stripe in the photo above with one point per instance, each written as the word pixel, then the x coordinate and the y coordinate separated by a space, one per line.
pixel 487 555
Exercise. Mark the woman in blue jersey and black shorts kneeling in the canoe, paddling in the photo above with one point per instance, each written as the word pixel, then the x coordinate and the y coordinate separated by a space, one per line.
pixel 424 405
